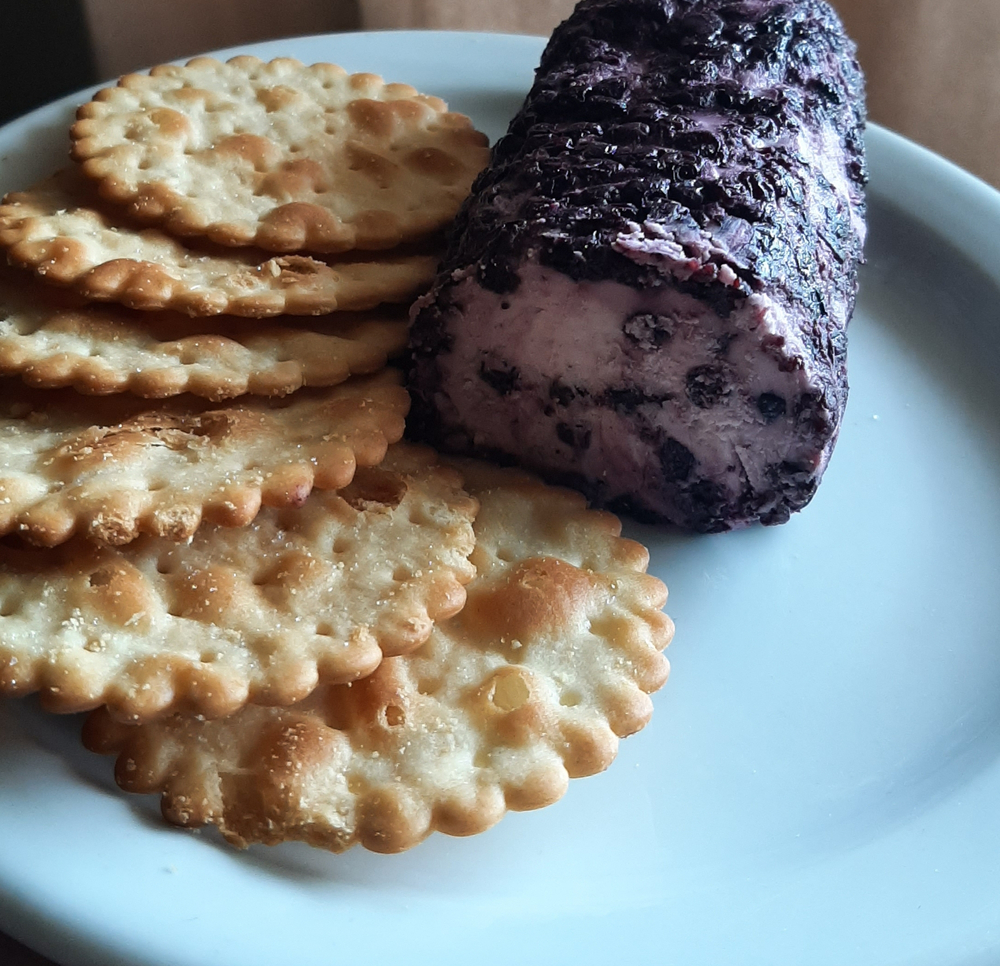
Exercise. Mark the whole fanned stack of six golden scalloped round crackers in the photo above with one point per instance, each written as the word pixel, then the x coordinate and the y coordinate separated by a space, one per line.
pixel 285 620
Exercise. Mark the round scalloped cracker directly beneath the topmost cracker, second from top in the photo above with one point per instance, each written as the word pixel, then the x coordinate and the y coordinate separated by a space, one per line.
pixel 60 230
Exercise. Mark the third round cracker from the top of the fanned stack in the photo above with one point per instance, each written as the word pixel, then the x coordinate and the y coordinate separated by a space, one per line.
pixel 54 339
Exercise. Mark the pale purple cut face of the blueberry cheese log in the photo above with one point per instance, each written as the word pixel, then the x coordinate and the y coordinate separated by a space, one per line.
pixel 586 377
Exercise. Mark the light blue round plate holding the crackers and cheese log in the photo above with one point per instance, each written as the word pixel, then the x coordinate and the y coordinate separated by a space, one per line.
pixel 819 784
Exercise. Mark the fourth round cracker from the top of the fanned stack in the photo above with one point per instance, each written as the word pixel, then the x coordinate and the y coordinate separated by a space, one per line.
pixel 113 468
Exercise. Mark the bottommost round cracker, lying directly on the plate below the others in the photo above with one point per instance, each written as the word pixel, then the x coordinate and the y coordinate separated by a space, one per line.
pixel 550 662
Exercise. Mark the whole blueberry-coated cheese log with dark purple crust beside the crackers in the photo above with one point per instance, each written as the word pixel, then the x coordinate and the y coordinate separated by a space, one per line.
pixel 647 294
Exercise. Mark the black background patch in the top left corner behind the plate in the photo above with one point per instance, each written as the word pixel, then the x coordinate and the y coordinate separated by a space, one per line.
pixel 46 53
